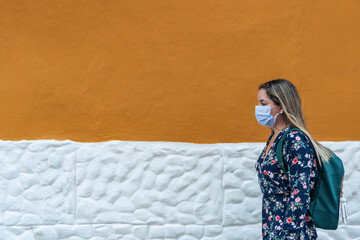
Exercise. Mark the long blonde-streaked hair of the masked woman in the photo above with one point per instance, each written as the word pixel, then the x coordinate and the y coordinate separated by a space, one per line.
pixel 285 94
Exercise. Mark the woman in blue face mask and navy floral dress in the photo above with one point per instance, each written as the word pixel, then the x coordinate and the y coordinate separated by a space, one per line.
pixel 286 200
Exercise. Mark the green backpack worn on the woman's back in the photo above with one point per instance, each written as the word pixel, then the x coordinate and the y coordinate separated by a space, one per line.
pixel 325 198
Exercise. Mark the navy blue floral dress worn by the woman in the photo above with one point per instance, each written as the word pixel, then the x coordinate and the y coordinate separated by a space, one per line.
pixel 286 202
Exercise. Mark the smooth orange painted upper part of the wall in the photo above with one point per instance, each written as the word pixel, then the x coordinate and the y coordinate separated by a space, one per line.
pixel 174 70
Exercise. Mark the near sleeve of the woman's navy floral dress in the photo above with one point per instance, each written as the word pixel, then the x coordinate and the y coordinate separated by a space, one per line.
pixel 299 157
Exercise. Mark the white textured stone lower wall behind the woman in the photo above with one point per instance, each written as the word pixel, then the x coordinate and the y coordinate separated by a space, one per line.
pixel 143 190
